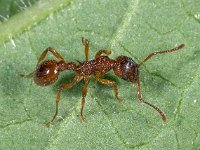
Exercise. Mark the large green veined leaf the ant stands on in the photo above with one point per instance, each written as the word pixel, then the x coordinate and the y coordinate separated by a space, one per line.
pixel 131 28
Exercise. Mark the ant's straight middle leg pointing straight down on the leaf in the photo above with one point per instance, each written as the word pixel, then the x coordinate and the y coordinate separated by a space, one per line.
pixel 84 93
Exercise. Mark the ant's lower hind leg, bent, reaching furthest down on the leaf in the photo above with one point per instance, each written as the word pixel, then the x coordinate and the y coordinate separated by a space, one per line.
pixel 60 89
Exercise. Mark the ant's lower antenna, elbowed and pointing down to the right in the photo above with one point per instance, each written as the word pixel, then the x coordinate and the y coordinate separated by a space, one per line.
pixel 151 105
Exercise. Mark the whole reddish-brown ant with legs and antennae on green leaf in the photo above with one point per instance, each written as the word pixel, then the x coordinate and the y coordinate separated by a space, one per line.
pixel 124 67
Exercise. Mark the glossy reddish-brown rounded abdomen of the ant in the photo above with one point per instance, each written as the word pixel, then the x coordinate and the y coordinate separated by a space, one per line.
pixel 46 73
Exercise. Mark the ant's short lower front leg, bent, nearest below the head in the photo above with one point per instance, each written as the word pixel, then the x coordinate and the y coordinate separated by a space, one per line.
pixel 109 83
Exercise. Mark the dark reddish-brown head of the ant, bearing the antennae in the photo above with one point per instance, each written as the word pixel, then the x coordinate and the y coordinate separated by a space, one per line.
pixel 126 69
